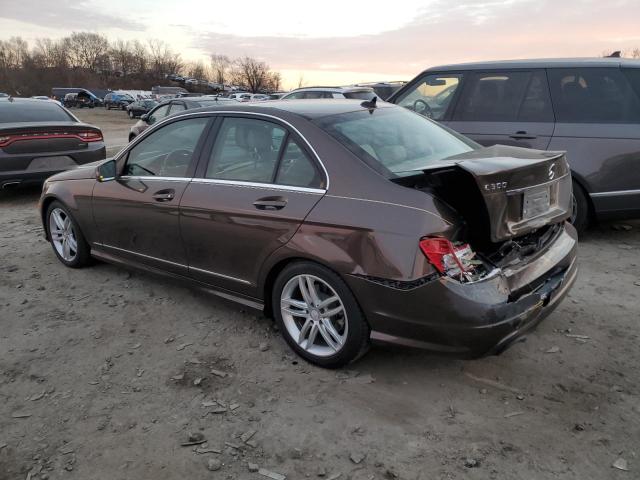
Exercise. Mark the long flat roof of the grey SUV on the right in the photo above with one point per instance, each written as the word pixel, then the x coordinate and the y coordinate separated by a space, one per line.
pixel 539 63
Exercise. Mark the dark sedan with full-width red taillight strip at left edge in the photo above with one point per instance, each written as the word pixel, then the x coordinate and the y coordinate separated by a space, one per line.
pixel 38 139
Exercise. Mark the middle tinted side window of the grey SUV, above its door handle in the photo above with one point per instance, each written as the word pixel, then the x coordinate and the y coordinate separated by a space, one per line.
pixel 509 96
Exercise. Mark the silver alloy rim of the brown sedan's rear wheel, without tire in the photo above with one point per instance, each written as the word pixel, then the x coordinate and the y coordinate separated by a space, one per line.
pixel 314 315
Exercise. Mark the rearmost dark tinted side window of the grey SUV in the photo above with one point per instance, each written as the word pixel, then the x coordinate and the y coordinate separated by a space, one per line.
pixel 593 95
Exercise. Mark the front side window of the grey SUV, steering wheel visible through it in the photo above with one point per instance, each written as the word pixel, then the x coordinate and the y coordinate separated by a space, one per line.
pixel 431 95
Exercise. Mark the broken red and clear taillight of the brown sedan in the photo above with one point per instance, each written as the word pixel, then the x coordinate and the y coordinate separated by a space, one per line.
pixel 453 260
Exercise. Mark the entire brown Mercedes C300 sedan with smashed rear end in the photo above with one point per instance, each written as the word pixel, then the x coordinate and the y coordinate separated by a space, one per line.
pixel 347 221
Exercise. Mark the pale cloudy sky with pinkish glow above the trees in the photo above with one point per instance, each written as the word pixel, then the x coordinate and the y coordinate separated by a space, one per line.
pixel 336 41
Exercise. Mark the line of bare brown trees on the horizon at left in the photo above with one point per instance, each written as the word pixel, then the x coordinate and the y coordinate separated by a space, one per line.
pixel 91 60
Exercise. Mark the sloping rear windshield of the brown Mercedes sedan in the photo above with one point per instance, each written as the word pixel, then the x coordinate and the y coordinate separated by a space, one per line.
pixel 399 140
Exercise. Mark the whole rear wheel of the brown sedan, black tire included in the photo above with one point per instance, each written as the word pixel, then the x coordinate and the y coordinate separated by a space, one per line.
pixel 340 338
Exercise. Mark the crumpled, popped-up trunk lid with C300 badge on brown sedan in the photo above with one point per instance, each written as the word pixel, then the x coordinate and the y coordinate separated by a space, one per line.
pixel 504 192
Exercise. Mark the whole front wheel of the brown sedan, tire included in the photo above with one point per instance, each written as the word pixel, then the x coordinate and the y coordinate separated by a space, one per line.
pixel 82 256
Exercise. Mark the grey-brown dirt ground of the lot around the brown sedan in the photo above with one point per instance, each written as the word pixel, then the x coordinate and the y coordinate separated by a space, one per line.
pixel 105 372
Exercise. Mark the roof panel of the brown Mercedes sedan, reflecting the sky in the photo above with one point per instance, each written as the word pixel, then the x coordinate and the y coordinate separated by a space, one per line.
pixel 309 109
